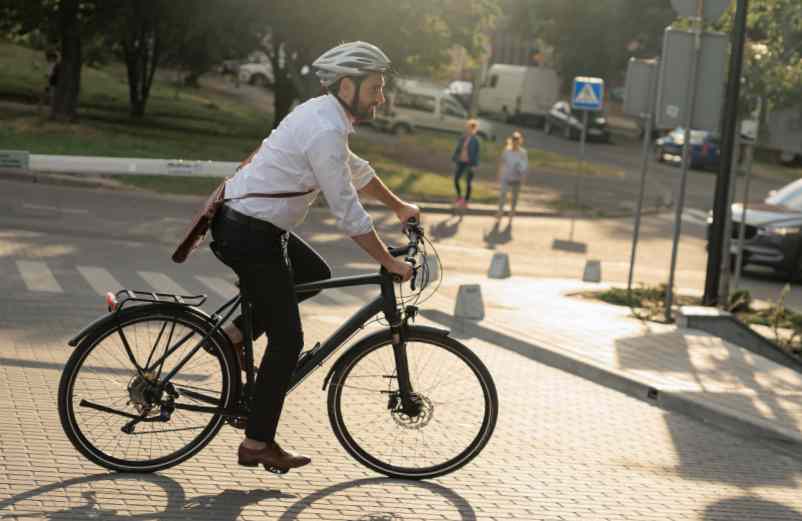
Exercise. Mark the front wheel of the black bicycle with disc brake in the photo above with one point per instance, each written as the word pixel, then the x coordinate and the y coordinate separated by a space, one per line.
pixel 457 397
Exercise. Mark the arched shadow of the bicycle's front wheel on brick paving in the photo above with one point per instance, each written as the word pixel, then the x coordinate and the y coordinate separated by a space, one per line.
pixel 462 506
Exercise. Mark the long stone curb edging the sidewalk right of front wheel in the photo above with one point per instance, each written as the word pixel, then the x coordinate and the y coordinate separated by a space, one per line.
pixel 776 437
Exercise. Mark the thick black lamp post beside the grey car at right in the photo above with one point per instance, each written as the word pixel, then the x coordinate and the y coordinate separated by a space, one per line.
pixel 714 248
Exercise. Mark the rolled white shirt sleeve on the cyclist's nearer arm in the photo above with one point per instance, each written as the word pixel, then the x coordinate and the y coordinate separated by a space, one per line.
pixel 331 163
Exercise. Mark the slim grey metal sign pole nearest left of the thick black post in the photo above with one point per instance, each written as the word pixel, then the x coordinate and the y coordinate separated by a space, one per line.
pixel 686 149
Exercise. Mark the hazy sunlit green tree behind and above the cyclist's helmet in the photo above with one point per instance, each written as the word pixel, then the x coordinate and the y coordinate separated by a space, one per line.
pixel 415 35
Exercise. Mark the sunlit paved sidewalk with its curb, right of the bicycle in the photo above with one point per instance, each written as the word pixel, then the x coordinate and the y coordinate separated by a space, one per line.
pixel 683 370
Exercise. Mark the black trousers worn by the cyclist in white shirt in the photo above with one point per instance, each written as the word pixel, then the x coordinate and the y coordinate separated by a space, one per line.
pixel 269 262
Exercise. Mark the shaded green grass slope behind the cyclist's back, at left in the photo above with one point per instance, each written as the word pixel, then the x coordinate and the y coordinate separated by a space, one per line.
pixel 180 122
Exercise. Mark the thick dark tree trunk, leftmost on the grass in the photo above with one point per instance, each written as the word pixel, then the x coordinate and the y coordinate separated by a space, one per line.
pixel 64 105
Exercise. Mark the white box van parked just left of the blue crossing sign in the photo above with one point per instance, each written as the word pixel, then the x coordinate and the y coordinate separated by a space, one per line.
pixel 519 94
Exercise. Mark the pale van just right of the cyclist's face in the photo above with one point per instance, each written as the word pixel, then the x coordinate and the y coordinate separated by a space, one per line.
pixel 412 104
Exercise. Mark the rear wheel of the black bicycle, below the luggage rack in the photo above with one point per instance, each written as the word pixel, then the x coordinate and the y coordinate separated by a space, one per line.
pixel 102 390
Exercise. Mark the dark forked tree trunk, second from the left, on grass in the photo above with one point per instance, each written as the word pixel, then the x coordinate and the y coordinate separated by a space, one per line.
pixel 141 50
